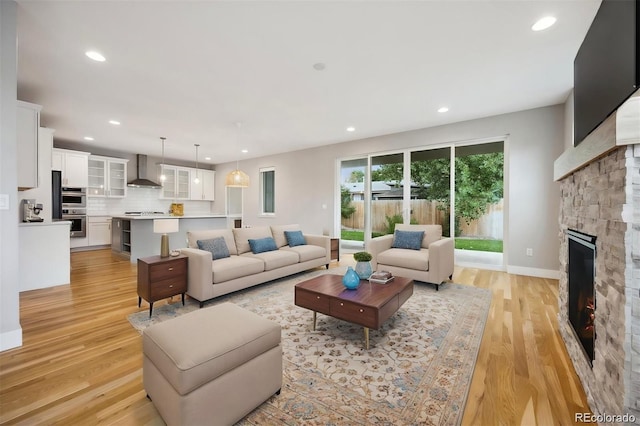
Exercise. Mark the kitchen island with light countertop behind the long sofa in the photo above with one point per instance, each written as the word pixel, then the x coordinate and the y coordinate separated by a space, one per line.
pixel 133 236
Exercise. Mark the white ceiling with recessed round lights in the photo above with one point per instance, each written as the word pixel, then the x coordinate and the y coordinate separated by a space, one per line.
pixel 191 70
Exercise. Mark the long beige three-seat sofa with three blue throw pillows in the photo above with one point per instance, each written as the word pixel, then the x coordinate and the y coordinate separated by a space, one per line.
pixel 209 278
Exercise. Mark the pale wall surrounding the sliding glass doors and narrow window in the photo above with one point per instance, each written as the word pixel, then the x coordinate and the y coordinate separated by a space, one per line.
pixel 305 180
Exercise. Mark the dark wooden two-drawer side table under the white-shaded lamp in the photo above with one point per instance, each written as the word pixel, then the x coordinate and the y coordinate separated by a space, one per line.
pixel 161 277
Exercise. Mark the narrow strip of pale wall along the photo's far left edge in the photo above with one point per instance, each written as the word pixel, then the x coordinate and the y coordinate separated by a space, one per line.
pixel 10 330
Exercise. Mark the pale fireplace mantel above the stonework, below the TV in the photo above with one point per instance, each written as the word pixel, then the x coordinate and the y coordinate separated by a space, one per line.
pixel 619 129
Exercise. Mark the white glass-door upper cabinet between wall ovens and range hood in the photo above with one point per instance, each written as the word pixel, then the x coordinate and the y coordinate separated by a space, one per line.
pixel 107 177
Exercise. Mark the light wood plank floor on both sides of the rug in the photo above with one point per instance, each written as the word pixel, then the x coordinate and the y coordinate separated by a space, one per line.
pixel 81 361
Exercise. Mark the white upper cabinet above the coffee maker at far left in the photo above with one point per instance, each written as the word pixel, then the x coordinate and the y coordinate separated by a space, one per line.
pixel 27 126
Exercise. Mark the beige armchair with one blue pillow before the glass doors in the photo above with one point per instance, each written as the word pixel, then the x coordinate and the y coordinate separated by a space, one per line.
pixel 432 262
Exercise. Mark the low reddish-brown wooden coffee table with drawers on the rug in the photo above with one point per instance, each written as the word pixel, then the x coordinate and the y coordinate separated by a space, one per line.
pixel 369 306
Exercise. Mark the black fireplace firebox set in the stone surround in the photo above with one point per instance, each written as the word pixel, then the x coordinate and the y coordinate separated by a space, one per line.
pixel 582 300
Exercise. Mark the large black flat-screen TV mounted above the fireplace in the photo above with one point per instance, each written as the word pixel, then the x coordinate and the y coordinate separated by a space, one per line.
pixel 606 70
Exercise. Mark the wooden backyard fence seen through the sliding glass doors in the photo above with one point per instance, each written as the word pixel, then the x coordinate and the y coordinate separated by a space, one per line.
pixel 425 211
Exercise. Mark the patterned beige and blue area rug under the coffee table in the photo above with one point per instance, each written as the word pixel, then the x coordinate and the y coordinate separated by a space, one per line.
pixel 417 370
